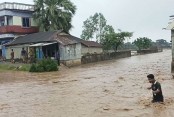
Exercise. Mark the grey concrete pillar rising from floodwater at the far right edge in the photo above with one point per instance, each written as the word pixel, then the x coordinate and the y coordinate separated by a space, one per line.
pixel 172 38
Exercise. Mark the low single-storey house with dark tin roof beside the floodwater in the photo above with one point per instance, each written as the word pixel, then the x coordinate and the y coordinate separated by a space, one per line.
pixel 46 44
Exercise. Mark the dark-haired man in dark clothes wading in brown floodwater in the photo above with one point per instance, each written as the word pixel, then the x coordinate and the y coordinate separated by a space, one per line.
pixel 156 89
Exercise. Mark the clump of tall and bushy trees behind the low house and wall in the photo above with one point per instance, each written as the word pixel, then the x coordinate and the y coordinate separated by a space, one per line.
pixel 105 34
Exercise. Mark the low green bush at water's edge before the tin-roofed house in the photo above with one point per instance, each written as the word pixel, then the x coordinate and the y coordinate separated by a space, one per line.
pixel 45 65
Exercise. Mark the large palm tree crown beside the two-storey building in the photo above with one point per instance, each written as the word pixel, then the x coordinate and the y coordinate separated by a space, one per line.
pixel 54 14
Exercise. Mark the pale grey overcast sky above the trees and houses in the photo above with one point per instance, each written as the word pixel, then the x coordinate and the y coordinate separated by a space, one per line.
pixel 145 18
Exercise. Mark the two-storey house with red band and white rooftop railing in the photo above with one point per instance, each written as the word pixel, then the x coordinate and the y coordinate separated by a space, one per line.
pixel 15 20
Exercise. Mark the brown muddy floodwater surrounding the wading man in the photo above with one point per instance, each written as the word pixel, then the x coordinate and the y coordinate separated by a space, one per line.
pixel 115 88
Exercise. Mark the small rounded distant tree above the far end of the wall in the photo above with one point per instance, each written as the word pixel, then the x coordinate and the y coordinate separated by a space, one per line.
pixel 143 43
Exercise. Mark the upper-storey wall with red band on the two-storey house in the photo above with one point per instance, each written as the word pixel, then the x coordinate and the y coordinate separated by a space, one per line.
pixel 14 19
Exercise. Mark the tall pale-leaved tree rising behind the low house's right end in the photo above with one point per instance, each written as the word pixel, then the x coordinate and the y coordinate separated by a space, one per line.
pixel 94 26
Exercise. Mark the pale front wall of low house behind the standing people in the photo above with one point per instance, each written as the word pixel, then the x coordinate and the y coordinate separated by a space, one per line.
pixel 17 51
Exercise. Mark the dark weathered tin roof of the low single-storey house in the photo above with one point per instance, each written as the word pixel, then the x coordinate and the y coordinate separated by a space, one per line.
pixel 58 36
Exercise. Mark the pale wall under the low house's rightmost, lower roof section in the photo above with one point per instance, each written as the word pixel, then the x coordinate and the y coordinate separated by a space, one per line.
pixel 91 50
